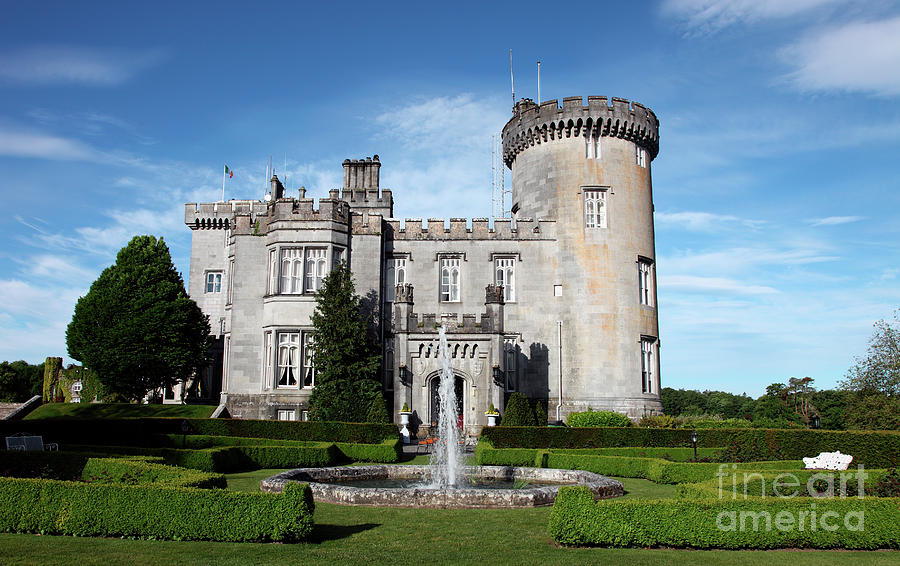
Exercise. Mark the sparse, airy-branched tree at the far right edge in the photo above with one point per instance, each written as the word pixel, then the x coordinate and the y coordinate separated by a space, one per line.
pixel 879 371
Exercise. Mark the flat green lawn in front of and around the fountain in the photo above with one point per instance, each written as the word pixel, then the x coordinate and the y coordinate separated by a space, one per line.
pixel 379 535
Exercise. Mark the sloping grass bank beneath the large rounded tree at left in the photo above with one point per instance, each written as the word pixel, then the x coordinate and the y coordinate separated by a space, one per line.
pixel 118 411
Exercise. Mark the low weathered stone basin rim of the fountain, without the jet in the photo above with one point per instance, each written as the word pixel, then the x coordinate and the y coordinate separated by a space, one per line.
pixel 326 489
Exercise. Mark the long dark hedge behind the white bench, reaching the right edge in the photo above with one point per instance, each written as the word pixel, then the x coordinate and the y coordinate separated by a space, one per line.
pixel 875 449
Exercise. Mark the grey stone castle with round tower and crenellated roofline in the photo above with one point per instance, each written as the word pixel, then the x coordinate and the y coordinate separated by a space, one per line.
pixel 557 302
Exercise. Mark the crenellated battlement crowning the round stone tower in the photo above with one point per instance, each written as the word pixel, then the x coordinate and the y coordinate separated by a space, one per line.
pixel 617 117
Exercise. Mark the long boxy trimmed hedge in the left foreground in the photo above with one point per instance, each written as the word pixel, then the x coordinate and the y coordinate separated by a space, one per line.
pixel 60 507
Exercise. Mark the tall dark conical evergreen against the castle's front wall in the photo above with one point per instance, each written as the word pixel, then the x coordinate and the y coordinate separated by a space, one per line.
pixel 345 353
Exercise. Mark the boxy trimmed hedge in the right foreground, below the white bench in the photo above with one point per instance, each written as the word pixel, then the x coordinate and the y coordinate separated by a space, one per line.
pixel 576 519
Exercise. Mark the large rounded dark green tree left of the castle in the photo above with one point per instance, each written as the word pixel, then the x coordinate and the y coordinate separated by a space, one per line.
pixel 137 327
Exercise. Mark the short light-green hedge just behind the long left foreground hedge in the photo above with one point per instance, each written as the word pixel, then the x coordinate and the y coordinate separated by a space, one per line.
pixel 140 472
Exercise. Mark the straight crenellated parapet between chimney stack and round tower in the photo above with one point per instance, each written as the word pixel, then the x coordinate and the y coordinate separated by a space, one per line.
pixel 459 229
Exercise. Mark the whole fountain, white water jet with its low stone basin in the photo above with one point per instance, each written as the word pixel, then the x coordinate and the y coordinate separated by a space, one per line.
pixel 445 482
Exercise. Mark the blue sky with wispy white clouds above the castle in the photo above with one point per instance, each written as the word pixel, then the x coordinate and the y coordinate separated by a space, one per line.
pixel 775 188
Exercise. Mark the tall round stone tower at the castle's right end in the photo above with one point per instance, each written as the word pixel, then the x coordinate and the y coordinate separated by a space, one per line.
pixel 588 168
